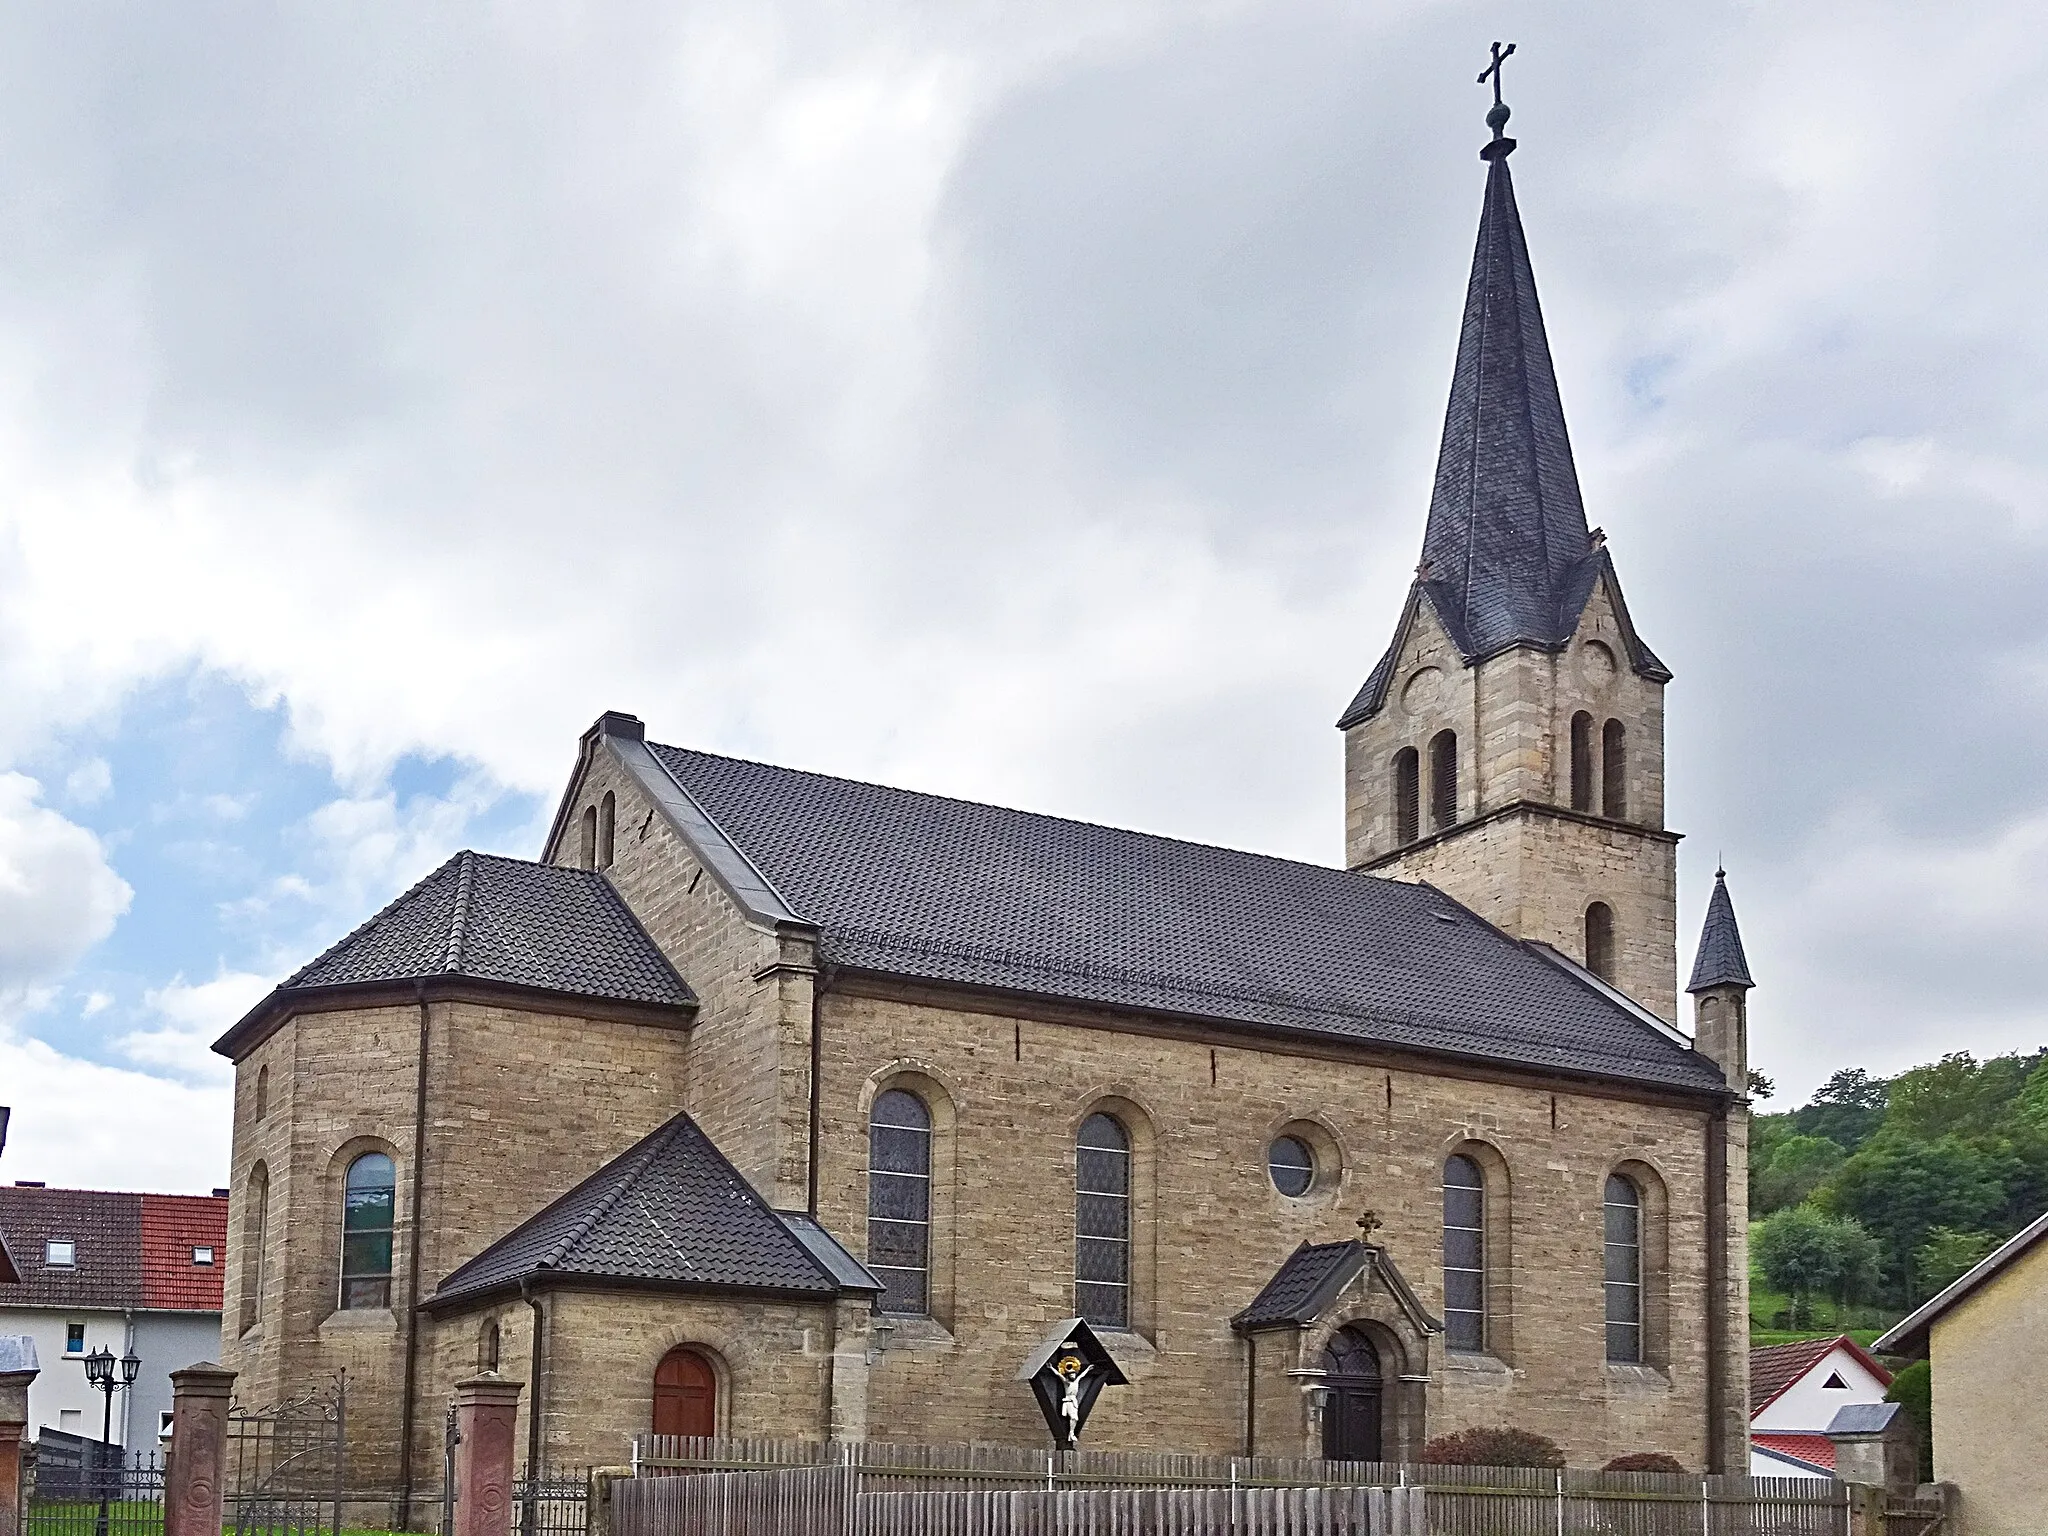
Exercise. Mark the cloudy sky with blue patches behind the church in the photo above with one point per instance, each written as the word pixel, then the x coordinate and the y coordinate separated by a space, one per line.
pixel 1021 402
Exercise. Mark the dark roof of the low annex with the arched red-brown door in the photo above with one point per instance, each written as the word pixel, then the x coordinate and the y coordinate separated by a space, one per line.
pixel 671 1215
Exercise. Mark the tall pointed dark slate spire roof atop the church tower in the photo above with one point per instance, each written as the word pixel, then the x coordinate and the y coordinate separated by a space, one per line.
pixel 1506 556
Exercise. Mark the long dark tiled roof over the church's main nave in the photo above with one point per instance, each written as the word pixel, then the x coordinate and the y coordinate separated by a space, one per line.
pixel 929 888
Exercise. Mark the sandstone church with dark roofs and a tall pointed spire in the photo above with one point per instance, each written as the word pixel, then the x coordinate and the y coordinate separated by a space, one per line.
pixel 767 1103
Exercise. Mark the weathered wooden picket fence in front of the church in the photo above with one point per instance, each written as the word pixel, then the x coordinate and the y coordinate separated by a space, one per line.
pixel 775 1488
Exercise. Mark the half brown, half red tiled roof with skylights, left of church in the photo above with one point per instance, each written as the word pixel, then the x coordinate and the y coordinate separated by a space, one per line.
pixel 130 1250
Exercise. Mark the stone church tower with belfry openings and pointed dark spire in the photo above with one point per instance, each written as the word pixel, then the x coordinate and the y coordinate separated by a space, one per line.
pixel 1508 749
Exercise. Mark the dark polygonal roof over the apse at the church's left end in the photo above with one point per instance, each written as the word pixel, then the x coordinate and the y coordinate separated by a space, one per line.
pixel 503 921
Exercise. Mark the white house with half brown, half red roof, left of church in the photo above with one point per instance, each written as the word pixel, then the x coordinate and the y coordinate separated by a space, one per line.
pixel 120 1273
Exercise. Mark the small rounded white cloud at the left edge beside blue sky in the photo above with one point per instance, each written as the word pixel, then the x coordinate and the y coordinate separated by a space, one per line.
pixel 58 896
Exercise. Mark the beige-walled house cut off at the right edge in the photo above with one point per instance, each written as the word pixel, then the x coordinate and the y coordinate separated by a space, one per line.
pixel 1983 1340
